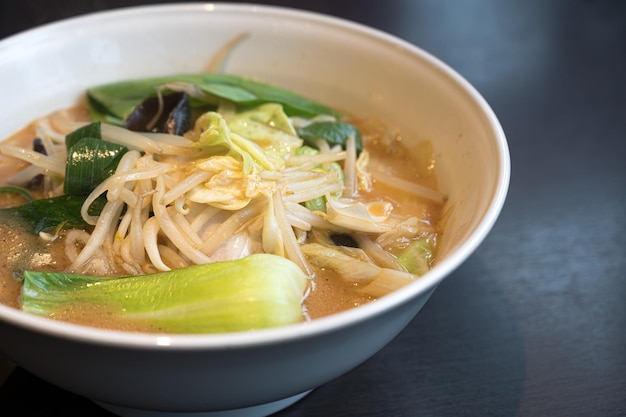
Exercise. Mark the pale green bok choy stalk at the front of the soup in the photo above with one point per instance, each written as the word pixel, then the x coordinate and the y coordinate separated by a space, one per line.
pixel 255 292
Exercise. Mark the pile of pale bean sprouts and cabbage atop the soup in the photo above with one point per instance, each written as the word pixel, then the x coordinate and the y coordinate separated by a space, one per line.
pixel 171 205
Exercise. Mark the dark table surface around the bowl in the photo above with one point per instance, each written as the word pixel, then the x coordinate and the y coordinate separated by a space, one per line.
pixel 534 323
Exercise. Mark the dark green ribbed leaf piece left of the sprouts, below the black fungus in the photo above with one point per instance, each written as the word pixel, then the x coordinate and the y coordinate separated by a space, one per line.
pixel 90 159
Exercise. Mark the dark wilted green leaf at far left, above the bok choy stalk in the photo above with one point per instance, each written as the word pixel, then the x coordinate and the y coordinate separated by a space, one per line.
pixel 52 213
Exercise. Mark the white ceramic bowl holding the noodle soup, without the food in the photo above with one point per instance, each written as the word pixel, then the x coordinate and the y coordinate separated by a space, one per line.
pixel 343 64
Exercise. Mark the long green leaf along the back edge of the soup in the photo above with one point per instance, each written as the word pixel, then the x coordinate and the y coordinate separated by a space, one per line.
pixel 114 102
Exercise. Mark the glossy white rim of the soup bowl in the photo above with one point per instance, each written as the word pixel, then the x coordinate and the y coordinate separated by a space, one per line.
pixel 337 321
